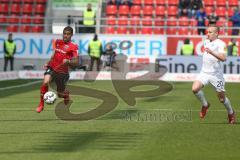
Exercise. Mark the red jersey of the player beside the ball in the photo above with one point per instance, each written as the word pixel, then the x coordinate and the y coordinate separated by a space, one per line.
pixel 63 51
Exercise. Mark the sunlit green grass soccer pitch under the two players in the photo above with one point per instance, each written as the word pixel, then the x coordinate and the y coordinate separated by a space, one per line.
pixel 165 127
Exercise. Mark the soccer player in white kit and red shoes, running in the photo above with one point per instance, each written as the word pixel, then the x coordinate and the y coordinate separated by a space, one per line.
pixel 211 72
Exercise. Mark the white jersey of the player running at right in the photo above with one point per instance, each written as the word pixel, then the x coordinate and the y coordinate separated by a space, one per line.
pixel 210 63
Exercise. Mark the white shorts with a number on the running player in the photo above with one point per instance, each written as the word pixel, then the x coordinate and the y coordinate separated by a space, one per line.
pixel 216 80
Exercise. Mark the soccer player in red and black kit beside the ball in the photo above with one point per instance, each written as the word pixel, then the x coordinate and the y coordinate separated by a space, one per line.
pixel 57 69
